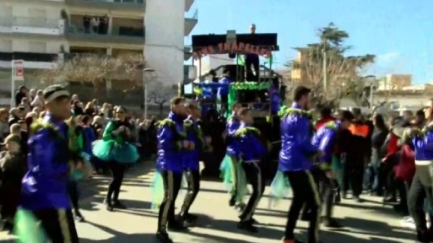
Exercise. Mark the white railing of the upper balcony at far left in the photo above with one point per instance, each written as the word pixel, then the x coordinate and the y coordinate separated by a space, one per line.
pixel 29 22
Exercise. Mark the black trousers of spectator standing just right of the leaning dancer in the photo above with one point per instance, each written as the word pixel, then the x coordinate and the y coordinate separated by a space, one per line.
pixel 353 177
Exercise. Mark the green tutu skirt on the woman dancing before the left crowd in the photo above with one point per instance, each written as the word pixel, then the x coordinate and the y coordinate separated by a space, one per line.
pixel 111 151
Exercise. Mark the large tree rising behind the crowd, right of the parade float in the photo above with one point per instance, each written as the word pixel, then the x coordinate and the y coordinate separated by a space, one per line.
pixel 343 72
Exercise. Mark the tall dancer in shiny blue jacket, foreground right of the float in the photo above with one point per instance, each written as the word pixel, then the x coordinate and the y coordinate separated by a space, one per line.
pixel 295 162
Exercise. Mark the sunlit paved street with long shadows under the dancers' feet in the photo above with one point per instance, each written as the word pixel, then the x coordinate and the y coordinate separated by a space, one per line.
pixel 368 222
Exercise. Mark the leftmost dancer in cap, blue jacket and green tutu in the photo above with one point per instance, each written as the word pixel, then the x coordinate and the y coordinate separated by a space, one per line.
pixel 45 186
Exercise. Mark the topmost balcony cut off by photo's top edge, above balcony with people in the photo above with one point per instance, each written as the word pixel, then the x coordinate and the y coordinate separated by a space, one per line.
pixel 126 5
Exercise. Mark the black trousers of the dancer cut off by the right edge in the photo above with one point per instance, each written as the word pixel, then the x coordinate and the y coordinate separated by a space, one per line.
pixel 418 195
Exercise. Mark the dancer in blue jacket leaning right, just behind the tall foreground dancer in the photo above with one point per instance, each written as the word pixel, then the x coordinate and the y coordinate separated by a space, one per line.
pixel 329 165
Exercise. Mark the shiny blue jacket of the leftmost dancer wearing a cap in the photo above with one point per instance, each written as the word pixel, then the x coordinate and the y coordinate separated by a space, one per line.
pixel 46 183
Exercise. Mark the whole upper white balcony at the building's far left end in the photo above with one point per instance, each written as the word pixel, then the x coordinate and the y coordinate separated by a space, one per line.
pixel 32 26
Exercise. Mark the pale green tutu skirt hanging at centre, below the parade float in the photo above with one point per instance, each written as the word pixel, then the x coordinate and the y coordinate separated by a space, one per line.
pixel 234 178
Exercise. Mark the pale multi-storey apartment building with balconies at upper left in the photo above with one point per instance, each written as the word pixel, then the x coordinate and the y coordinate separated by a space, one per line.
pixel 43 32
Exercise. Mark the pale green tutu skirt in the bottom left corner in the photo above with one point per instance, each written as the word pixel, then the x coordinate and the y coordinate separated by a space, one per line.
pixel 27 228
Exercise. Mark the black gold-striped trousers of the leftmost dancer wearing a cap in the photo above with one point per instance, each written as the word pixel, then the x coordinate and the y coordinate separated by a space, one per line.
pixel 58 224
